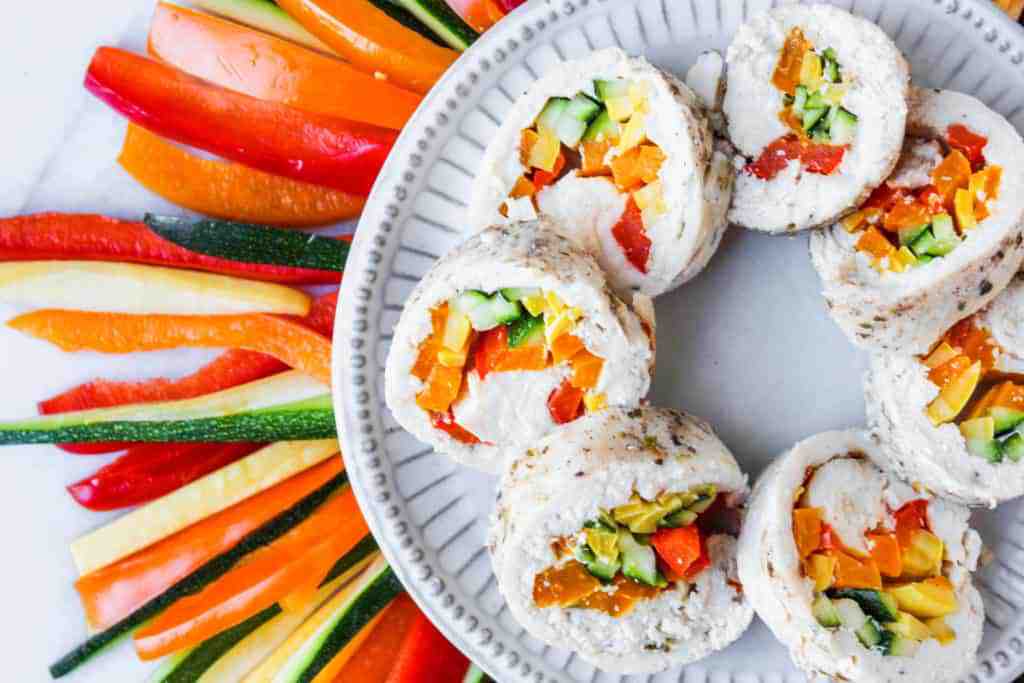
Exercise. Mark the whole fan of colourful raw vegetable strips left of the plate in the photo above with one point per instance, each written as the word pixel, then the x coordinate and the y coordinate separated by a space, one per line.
pixel 229 545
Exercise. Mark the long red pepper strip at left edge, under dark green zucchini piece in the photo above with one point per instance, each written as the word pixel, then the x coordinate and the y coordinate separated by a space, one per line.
pixel 58 237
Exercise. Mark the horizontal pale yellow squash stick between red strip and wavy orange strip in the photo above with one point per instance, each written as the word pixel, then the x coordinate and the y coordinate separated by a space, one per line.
pixel 130 288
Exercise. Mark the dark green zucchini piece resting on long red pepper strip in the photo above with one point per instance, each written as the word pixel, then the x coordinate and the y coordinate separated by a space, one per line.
pixel 252 244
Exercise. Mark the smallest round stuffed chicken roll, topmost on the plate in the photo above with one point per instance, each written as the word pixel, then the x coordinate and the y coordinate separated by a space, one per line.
pixel 817 102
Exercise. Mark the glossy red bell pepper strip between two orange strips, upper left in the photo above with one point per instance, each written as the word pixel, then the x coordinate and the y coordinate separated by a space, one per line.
pixel 269 137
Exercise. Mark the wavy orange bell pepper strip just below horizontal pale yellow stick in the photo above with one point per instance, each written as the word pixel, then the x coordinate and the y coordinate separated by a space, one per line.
pixel 290 343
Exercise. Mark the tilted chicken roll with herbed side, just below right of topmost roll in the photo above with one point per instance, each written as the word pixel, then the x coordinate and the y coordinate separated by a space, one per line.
pixel 940 239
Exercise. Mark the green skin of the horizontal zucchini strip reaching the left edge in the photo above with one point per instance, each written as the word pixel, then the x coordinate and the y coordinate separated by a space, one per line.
pixel 257 426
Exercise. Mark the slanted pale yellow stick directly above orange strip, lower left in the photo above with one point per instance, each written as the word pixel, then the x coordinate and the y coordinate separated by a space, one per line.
pixel 203 498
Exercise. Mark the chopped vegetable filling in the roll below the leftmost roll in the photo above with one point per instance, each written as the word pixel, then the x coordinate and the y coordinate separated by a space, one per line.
pixel 630 553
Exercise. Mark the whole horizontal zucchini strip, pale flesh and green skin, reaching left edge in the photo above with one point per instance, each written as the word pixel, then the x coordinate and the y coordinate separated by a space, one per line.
pixel 285 407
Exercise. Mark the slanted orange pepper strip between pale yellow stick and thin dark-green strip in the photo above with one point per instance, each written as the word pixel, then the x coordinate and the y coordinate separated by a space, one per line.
pixel 114 592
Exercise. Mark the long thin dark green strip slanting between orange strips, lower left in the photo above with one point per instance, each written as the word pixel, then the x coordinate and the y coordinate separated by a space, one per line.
pixel 198 580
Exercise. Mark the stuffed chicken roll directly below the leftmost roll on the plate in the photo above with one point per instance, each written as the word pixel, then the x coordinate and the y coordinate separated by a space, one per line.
pixel 615 538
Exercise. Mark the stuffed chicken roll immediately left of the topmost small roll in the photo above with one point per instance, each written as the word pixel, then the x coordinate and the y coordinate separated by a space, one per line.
pixel 619 154
